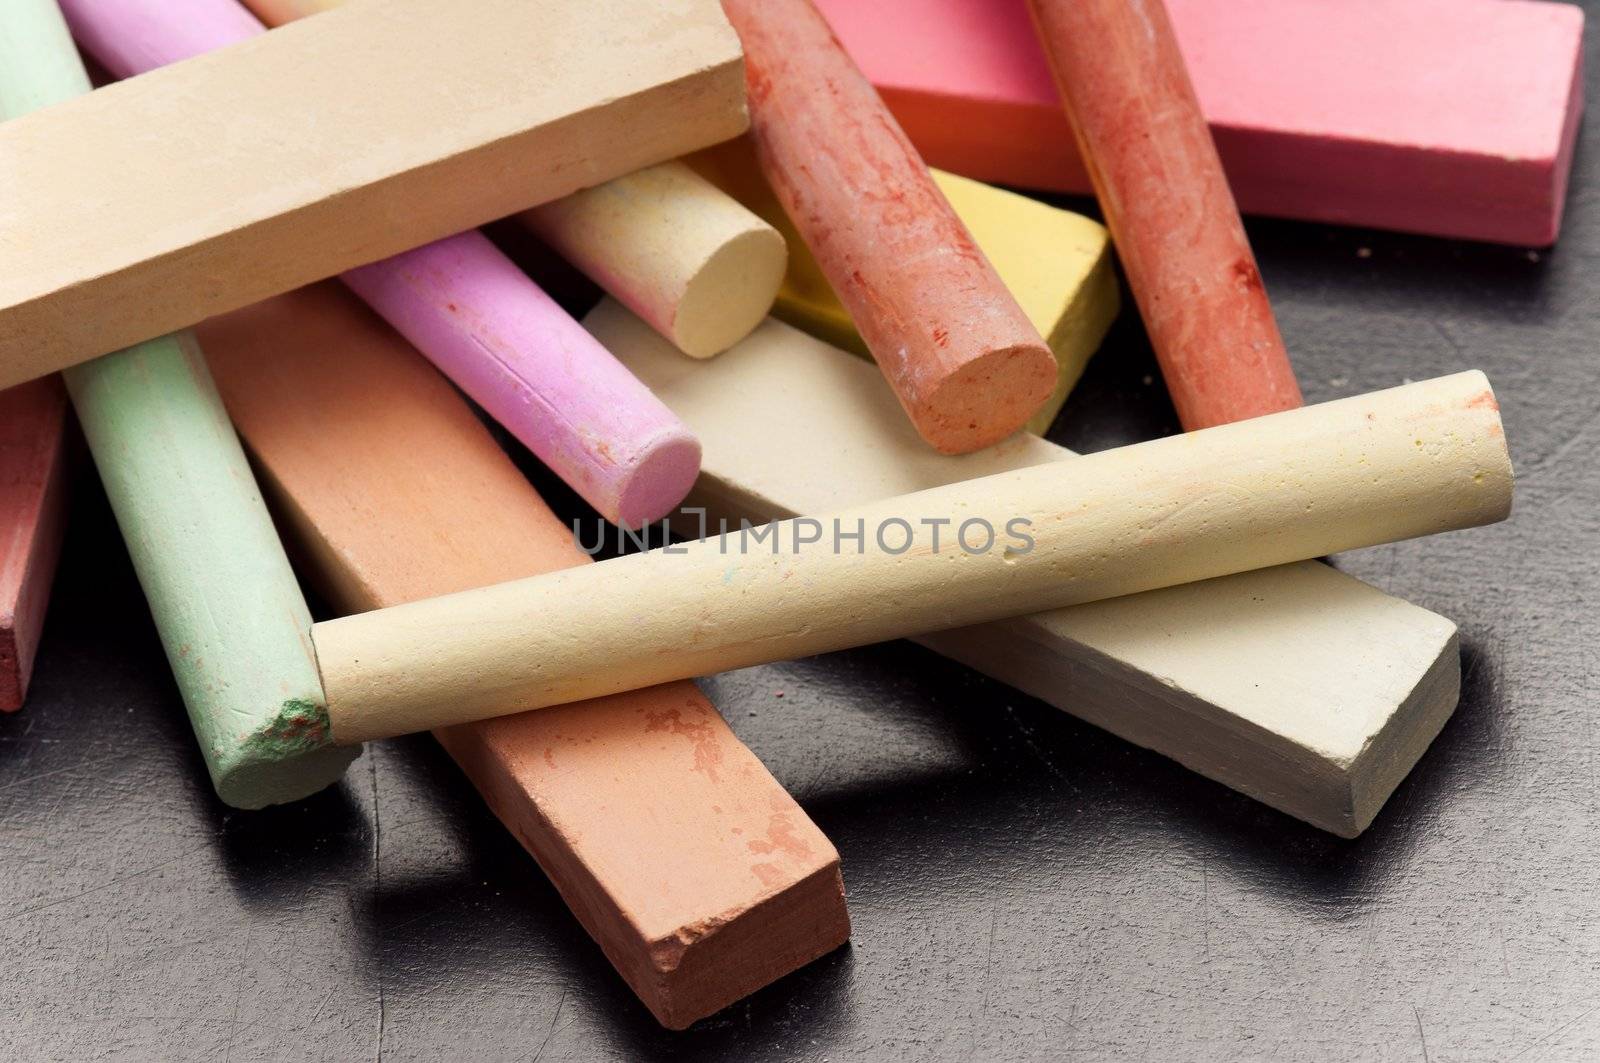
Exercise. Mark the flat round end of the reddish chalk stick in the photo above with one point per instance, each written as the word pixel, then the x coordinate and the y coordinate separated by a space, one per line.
pixel 988 399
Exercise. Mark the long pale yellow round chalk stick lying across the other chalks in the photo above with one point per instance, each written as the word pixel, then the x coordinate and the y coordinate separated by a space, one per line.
pixel 1393 465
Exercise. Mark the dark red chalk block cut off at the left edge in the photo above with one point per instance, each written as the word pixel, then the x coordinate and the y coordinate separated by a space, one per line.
pixel 33 507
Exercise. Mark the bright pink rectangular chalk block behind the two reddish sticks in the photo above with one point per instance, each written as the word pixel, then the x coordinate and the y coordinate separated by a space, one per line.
pixel 1446 118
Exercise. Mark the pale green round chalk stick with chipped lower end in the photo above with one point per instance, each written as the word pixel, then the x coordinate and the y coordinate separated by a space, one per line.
pixel 231 617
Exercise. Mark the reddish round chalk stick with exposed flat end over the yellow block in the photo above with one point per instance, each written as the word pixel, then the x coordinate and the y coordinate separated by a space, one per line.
pixel 961 355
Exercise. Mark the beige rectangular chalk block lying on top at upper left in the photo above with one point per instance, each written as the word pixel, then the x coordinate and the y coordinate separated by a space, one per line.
pixel 391 159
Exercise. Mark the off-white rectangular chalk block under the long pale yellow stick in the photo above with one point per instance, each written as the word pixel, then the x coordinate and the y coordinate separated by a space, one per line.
pixel 1298 686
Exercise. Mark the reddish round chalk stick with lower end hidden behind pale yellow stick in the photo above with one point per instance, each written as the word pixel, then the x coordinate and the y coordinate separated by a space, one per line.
pixel 1169 207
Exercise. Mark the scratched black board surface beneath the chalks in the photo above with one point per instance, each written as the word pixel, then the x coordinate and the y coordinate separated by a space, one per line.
pixel 1023 886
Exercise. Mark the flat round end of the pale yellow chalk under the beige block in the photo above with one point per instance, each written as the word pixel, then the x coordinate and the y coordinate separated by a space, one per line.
pixel 732 292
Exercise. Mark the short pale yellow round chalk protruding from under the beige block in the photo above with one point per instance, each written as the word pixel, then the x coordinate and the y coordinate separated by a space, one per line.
pixel 684 255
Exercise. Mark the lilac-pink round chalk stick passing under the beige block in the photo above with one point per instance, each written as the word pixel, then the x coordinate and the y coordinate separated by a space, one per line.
pixel 466 307
